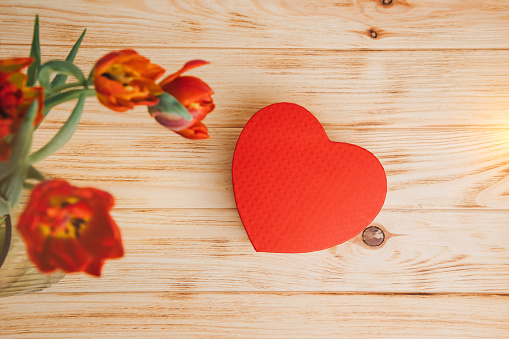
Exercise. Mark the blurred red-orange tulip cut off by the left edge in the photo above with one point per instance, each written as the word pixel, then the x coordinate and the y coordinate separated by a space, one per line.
pixel 15 99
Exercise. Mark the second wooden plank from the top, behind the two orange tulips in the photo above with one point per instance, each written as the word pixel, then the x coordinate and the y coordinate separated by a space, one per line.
pixel 352 89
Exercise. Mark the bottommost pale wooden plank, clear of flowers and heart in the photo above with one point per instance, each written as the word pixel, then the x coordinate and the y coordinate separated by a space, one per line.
pixel 264 315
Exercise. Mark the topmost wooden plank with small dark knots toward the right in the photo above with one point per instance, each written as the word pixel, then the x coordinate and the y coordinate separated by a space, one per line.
pixel 331 24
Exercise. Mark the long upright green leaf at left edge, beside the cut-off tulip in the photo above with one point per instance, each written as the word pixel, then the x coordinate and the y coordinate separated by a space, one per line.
pixel 11 187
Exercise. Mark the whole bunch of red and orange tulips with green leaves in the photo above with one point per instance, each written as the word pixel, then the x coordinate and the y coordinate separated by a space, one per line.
pixel 64 226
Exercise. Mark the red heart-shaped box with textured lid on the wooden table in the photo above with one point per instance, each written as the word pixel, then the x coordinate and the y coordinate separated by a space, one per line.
pixel 297 191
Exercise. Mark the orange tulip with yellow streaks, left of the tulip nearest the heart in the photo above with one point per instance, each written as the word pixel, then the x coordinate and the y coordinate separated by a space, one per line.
pixel 125 79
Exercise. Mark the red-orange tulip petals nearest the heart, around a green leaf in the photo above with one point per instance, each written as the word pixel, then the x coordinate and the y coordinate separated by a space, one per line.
pixel 195 95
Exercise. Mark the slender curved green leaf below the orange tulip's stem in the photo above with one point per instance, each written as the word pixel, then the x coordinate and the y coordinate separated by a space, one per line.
pixel 63 135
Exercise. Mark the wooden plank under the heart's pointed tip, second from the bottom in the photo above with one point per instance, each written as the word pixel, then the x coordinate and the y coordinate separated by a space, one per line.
pixel 426 251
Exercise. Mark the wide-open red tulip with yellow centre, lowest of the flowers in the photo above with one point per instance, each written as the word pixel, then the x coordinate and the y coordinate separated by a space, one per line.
pixel 69 228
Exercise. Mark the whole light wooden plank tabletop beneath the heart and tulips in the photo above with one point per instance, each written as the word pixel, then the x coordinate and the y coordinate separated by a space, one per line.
pixel 424 85
